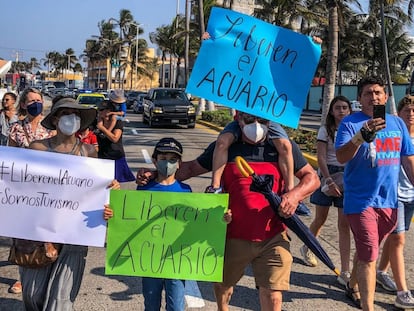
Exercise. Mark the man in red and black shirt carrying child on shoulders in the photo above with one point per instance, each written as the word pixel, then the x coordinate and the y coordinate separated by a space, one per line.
pixel 255 235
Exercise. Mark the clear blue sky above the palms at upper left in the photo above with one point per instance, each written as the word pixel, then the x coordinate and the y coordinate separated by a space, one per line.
pixel 31 28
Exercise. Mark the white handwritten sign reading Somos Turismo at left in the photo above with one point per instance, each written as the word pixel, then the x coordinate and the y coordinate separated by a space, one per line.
pixel 53 197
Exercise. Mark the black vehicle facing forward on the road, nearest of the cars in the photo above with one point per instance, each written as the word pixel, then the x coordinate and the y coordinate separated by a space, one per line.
pixel 168 106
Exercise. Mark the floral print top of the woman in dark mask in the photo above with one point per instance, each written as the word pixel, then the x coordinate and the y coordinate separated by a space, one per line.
pixel 22 133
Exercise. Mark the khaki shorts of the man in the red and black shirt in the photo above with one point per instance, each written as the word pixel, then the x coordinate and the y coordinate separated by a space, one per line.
pixel 270 259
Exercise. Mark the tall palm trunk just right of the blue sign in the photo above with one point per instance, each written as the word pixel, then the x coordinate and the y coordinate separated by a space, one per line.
pixel 332 60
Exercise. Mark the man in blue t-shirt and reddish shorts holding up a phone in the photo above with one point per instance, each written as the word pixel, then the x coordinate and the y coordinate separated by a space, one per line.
pixel 373 150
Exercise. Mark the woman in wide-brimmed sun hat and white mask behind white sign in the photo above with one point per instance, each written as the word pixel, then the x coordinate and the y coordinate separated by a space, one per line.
pixel 56 286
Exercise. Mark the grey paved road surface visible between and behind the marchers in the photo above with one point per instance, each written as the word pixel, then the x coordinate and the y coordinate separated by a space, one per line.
pixel 311 288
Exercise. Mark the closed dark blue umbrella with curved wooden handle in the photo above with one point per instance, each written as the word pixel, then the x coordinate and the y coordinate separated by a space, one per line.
pixel 264 185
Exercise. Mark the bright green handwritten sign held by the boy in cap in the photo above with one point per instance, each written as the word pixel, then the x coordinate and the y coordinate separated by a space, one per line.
pixel 166 235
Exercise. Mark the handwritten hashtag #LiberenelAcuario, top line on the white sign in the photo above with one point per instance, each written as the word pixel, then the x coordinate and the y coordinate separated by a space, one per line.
pixel 15 174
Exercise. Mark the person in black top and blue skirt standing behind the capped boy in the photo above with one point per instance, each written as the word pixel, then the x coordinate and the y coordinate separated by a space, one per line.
pixel 110 141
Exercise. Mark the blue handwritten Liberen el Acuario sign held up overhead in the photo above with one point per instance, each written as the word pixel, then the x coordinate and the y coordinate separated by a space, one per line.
pixel 255 67
